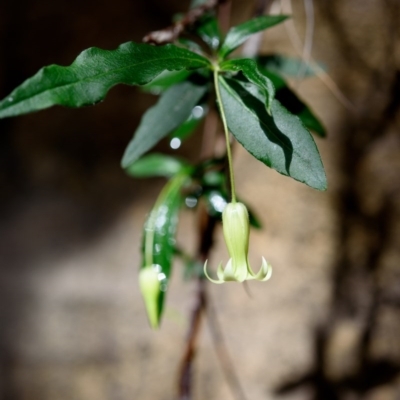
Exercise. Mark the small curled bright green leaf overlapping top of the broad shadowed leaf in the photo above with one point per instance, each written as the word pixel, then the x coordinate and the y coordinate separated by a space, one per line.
pixel 252 73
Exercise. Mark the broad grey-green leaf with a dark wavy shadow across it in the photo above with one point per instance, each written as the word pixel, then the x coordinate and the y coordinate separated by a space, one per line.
pixel 280 140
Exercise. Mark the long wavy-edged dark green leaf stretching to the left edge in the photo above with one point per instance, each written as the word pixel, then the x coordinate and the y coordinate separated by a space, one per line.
pixel 87 80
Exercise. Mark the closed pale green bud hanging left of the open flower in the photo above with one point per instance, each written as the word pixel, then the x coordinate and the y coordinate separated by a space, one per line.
pixel 150 286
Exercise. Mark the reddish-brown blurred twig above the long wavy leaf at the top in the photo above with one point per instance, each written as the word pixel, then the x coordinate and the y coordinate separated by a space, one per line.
pixel 171 33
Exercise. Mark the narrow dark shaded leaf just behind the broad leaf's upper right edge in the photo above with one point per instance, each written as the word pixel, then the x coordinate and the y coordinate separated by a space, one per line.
pixel 293 103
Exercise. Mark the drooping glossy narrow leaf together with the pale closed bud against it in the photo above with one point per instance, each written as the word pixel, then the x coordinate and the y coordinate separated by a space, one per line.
pixel 159 247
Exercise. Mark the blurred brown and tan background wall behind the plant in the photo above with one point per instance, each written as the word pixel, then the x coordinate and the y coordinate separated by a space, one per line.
pixel 72 324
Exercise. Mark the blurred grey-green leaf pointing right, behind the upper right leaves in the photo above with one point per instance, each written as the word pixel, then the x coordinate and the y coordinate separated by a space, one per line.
pixel 289 66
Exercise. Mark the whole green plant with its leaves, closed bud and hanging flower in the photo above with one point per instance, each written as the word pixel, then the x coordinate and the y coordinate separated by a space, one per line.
pixel 192 76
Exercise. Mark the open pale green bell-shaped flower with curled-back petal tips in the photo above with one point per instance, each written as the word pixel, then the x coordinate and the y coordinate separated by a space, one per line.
pixel 235 222
